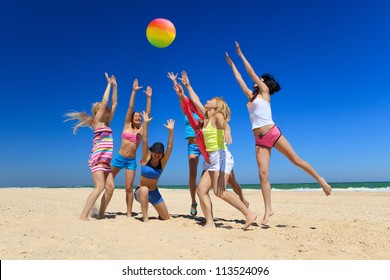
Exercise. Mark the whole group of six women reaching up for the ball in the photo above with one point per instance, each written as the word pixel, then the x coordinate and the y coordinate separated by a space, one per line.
pixel 207 133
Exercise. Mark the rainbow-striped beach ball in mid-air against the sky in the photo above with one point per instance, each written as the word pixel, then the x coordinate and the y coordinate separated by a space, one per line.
pixel 160 32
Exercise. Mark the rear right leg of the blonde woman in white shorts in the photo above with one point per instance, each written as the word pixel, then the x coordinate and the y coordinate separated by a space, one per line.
pixel 218 180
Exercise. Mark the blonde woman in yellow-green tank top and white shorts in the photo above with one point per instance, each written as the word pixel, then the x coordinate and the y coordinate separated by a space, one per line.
pixel 216 131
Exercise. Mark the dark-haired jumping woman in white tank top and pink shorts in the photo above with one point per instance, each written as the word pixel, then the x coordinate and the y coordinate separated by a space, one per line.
pixel 266 133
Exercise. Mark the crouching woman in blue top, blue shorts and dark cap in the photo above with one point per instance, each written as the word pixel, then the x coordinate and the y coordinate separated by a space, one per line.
pixel 152 165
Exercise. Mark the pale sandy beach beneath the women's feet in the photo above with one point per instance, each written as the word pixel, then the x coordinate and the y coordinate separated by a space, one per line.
pixel 43 224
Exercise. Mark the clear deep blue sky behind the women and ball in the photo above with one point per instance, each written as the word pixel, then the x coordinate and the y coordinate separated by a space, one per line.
pixel 330 57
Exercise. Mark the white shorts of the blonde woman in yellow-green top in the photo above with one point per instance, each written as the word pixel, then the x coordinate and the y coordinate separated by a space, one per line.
pixel 221 160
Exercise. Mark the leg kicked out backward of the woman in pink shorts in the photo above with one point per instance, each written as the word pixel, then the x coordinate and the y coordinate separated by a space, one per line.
pixel 283 146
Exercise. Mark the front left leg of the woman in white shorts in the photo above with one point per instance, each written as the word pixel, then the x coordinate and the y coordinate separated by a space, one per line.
pixel 204 198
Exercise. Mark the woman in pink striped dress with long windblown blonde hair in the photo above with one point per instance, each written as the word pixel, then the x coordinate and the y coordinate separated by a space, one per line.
pixel 101 154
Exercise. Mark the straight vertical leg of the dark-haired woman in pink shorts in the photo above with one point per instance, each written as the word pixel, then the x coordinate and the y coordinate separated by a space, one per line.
pixel 263 156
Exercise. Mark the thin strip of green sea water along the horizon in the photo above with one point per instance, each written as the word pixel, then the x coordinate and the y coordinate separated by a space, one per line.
pixel 342 186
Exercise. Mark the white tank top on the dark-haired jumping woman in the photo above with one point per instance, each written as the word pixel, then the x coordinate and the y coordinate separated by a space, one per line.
pixel 260 113
